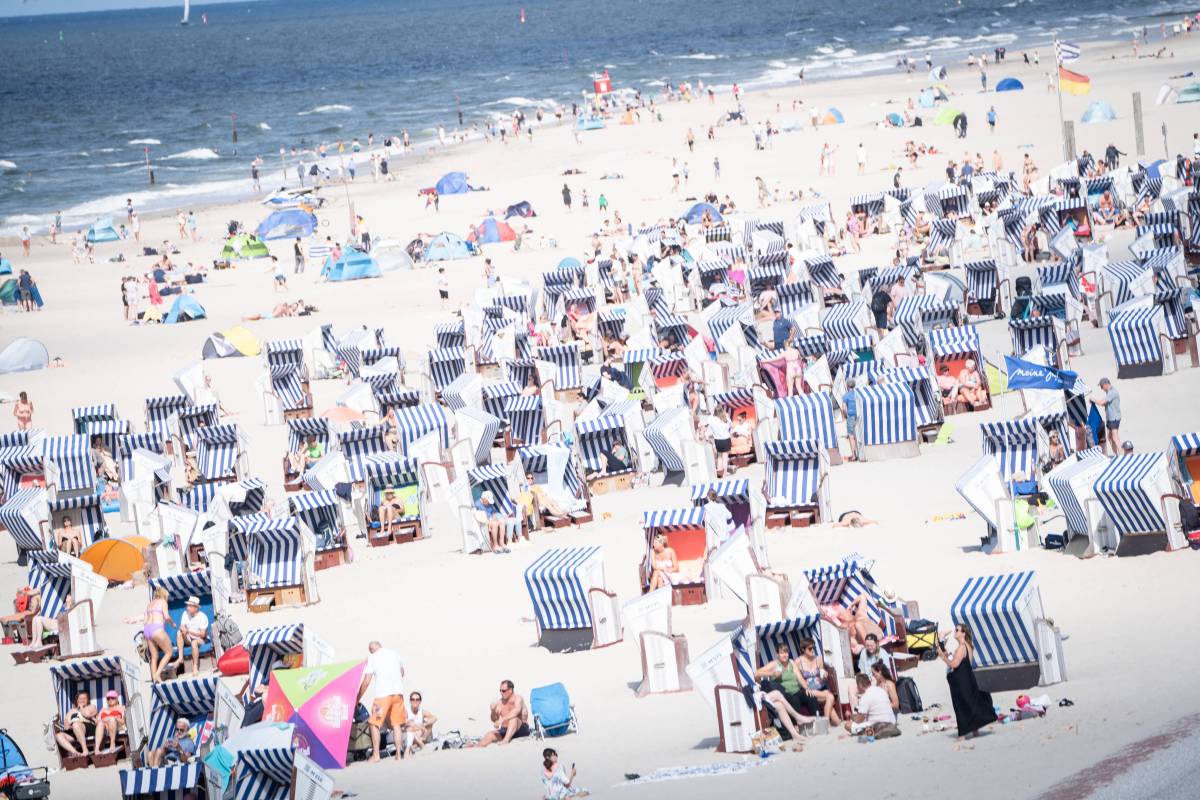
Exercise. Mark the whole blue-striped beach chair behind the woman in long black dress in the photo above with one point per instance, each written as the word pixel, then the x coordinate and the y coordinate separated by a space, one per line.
pixel 1016 646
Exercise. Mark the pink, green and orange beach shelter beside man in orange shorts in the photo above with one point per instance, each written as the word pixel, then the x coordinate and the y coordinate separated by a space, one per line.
pixel 320 702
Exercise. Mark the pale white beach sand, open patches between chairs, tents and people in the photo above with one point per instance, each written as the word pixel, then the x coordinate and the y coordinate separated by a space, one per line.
pixel 464 622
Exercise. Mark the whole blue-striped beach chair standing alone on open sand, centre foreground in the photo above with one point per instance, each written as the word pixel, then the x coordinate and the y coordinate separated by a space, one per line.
pixel 561 585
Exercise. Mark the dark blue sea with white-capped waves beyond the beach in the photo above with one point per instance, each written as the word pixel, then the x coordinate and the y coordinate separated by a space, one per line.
pixel 91 98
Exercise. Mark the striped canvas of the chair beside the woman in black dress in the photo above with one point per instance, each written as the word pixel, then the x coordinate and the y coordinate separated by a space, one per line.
pixel 1000 610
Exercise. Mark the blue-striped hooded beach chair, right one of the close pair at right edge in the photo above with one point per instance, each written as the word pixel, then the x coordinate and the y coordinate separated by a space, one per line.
pixel 1141 504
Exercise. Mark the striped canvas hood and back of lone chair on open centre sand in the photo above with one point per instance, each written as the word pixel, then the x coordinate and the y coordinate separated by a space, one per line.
pixel 556 585
